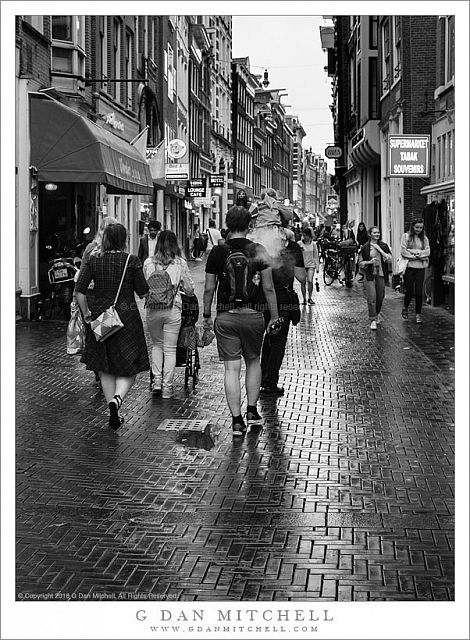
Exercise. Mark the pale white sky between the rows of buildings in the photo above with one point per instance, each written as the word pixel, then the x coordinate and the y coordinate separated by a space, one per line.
pixel 289 47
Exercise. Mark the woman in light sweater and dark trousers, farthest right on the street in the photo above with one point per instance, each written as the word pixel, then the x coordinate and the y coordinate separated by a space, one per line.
pixel 415 249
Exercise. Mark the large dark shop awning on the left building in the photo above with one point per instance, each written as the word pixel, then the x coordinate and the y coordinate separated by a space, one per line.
pixel 67 147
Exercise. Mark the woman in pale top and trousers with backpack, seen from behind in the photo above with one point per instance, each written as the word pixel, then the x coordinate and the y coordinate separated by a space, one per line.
pixel 166 272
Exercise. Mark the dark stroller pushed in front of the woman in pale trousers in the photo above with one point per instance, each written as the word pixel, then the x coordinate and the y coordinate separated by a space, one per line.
pixel 187 354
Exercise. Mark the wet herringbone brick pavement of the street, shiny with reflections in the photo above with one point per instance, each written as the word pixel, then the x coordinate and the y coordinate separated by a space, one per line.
pixel 346 495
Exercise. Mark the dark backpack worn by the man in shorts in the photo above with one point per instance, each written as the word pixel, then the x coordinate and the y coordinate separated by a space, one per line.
pixel 241 280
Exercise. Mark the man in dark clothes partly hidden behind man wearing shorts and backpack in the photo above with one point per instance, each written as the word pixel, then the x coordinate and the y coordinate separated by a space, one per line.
pixel 290 265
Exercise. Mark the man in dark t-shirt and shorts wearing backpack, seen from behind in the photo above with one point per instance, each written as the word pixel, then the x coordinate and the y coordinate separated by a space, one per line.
pixel 240 271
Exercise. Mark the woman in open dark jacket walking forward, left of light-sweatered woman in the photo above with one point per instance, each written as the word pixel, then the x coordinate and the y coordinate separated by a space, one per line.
pixel 375 257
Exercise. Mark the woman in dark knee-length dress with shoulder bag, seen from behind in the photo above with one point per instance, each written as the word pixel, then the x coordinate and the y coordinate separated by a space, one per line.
pixel 124 354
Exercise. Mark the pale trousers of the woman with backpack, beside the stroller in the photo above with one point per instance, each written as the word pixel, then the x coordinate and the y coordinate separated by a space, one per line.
pixel 164 326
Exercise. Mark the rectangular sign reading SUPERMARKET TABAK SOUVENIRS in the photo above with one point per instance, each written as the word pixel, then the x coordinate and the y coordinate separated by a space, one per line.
pixel 408 156
